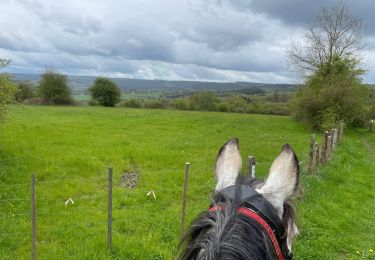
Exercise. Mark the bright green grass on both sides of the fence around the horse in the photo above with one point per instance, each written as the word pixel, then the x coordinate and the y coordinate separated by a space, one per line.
pixel 70 149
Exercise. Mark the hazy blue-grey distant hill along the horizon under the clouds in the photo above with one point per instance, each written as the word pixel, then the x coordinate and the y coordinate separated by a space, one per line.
pixel 81 83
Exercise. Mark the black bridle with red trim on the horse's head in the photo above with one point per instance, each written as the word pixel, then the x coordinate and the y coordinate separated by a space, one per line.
pixel 256 207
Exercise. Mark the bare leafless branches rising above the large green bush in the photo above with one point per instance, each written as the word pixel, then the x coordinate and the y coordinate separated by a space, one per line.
pixel 334 32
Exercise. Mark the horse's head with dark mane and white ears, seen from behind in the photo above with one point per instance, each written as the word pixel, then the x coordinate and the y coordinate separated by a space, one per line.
pixel 248 218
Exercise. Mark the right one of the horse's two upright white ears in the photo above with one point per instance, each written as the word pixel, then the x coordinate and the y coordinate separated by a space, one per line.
pixel 282 181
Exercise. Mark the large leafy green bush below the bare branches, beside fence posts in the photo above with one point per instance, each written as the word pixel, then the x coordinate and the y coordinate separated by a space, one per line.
pixel 334 92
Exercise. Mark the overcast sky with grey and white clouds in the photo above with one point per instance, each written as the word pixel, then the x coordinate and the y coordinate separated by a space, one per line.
pixel 213 40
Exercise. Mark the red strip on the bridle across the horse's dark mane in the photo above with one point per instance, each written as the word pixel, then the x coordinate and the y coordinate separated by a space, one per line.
pixel 251 214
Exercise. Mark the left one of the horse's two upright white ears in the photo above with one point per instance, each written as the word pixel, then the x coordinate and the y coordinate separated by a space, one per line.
pixel 228 164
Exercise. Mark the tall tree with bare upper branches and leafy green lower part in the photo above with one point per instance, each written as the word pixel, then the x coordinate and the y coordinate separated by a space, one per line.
pixel 330 61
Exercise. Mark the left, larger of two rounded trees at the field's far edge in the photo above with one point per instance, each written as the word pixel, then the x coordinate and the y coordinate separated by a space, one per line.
pixel 54 89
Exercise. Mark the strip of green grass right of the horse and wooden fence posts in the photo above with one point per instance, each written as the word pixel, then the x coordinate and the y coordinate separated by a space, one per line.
pixel 337 212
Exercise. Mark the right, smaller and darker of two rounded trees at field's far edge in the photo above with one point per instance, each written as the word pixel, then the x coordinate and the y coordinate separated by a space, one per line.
pixel 105 91
